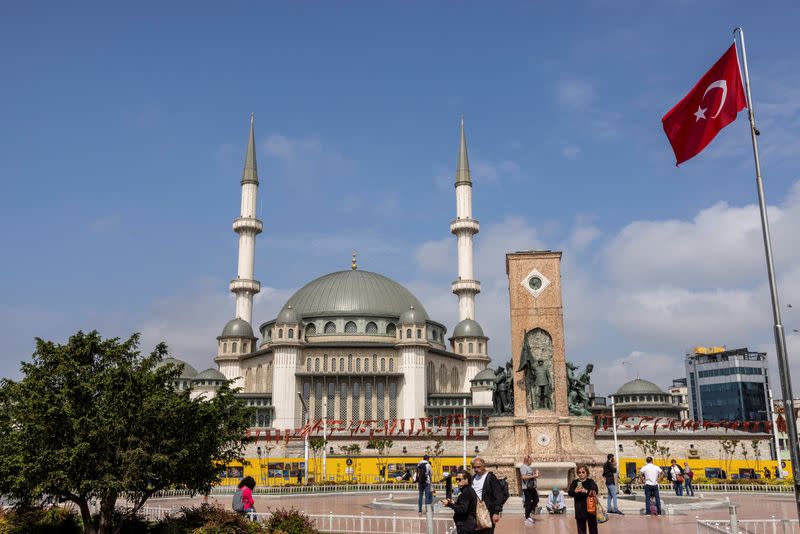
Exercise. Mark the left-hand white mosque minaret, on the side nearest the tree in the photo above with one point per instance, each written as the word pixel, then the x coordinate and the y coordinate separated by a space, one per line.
pixel 248 227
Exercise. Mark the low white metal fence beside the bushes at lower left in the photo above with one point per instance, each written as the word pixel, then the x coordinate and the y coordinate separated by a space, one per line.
pixel 349 524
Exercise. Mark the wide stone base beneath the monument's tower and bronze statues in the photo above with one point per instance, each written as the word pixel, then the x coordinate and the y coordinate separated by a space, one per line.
pixel 556 445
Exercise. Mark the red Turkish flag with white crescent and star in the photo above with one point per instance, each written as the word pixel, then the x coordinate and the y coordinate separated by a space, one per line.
pixel 710 106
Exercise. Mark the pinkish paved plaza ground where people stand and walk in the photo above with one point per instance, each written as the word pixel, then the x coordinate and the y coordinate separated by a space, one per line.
pixel 750 506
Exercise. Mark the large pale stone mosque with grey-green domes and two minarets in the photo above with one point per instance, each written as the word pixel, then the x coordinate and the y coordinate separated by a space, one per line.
pixel 351 345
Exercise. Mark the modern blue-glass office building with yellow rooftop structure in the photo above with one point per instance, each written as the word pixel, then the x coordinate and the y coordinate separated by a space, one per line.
pixel 727 385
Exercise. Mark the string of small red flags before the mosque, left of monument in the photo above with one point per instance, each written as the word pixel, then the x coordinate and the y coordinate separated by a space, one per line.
pixel 451 424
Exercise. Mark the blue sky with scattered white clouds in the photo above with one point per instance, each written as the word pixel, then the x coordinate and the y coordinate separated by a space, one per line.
pixel 123 131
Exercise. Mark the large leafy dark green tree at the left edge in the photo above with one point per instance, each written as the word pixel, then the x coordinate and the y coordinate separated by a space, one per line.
pixel 94 420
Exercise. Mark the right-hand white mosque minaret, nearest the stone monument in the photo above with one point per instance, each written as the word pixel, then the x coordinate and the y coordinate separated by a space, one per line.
pixel 464 227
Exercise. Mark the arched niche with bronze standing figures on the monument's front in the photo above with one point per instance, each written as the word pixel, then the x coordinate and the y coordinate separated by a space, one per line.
pixel 536 361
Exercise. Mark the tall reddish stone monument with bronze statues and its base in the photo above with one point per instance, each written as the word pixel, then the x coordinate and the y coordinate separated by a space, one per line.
pixel 548 418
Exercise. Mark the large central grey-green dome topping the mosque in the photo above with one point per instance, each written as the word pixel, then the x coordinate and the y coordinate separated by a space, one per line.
pixel 354 292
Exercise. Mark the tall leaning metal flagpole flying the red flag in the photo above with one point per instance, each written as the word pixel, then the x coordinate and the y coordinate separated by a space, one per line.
pixel 780 339
